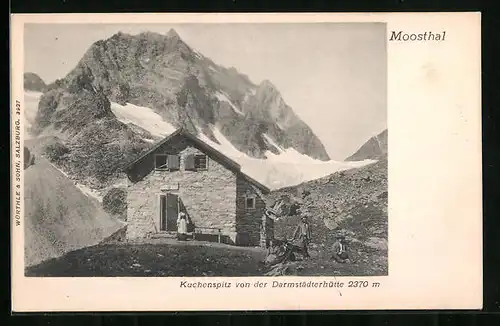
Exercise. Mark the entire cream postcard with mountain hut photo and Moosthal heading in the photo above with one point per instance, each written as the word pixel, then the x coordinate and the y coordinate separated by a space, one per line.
pixel 199 162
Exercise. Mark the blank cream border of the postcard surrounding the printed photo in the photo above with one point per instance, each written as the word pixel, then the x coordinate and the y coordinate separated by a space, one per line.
pixel 435 197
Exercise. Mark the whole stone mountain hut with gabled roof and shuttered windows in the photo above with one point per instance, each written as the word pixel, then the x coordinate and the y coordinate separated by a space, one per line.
pixel 183 173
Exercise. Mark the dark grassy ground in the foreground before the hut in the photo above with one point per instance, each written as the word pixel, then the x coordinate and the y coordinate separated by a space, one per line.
pixel 152 260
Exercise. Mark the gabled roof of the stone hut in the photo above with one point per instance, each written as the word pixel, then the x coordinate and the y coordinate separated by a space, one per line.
pixel 203 146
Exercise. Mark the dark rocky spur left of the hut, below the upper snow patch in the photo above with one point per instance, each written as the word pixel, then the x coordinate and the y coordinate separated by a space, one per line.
pixel 89 143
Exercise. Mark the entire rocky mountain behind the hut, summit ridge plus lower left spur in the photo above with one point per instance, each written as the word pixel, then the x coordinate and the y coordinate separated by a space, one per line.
pixel 181 86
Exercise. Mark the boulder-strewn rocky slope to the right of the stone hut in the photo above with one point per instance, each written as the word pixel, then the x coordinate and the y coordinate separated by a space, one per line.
pixel 353 202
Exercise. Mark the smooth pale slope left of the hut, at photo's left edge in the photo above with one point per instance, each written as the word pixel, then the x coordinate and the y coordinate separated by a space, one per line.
pixel 58 217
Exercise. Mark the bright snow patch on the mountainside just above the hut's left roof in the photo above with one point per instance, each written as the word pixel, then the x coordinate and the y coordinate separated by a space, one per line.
pixel 143 117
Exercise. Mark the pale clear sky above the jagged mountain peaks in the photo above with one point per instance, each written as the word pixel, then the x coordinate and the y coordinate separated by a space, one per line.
pixel 333 75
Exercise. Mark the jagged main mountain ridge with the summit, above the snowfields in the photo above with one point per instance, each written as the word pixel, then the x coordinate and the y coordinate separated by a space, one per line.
pixel 187 89
